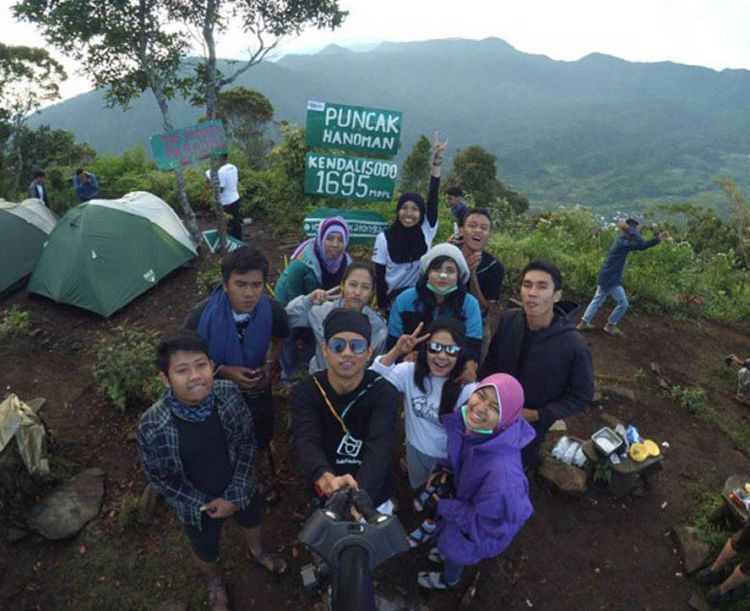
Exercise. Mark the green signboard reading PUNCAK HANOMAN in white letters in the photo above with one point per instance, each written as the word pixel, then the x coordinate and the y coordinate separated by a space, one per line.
pixel 353 128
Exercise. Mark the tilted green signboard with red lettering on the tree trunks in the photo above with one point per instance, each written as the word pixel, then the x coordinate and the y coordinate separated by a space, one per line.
pixel 188 145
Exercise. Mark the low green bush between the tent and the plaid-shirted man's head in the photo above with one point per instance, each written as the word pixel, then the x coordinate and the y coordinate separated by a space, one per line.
pixel 125 367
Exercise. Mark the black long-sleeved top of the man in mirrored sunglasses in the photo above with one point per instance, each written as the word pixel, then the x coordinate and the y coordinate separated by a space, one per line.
pixel 371 418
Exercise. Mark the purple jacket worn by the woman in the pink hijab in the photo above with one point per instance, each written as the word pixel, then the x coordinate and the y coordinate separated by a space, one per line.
pixel 492 493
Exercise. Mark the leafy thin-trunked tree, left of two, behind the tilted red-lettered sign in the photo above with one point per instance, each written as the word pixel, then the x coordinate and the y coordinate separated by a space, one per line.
pixel 125 46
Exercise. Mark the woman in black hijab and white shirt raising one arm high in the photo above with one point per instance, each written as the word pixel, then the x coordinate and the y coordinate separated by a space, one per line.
pixel 398 249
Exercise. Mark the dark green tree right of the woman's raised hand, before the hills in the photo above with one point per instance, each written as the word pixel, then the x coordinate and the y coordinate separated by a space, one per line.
pixel 475 169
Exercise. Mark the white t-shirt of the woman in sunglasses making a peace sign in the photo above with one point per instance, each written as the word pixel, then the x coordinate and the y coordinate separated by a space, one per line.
pixel 422 410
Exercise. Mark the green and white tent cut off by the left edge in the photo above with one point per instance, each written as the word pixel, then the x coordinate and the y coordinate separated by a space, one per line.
pixel 24 228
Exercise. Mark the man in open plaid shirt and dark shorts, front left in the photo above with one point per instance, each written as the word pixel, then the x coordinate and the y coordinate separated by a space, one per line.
pixel 197 446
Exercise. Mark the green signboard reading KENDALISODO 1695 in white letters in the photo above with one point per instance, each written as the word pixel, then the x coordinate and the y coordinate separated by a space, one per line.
pixel 372 180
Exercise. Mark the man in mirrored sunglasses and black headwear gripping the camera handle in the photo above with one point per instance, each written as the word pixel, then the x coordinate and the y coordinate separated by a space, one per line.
pixel 344 418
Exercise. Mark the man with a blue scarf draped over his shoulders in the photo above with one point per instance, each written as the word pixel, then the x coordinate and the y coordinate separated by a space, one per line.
pixel 245 330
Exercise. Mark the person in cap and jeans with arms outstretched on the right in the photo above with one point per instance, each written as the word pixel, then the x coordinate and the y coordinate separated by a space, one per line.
pixel 609 280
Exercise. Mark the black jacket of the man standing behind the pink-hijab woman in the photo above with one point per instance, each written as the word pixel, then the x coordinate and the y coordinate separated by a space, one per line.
pixel 553 365
